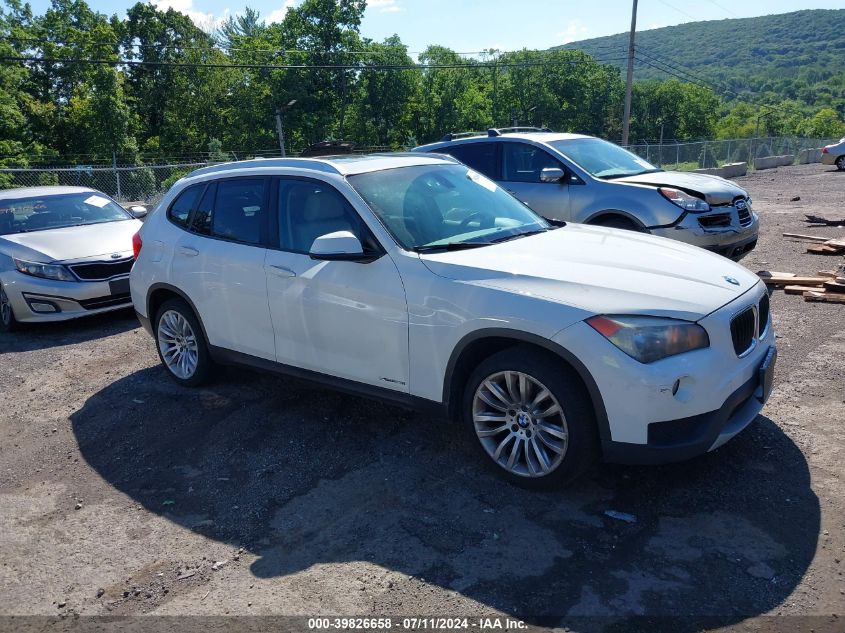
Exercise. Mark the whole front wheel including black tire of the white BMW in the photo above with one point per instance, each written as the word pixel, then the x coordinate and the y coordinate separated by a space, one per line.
pixel 531 418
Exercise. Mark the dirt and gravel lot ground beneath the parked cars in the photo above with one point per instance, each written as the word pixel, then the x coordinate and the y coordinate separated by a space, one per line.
pixel 123 494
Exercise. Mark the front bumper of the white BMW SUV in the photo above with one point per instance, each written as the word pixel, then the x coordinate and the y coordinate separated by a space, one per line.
pixel 680 406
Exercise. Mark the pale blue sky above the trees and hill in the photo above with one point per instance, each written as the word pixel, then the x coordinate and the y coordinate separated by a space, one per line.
pixel 472 25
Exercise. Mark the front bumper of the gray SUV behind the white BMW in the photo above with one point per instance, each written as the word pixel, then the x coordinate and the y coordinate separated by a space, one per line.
pixel 730 239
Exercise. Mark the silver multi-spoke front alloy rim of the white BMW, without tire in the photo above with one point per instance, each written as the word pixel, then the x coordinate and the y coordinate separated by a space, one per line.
pixel 520 424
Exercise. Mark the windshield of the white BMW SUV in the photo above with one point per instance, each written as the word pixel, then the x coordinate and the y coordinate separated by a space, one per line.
pixel 434 207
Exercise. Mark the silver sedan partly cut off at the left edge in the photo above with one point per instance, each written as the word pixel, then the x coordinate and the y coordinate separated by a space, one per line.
pixel 65 252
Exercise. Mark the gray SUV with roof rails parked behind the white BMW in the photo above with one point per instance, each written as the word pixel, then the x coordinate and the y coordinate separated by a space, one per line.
pixel 592 181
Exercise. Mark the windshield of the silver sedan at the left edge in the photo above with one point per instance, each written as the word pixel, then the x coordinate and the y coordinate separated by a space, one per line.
pixel 41 213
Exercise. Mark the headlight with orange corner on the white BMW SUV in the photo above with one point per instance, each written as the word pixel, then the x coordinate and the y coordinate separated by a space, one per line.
pixel 648 339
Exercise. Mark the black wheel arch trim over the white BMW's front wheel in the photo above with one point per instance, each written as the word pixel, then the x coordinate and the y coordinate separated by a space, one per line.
pixel 476 346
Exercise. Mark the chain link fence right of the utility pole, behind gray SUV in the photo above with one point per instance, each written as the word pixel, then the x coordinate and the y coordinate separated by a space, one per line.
pixel 707 154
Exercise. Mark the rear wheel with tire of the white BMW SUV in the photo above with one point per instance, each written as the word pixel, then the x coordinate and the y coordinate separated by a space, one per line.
pixel 181 345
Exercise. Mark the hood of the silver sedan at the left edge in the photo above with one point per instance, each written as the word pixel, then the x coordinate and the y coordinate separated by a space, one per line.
pixel 72 243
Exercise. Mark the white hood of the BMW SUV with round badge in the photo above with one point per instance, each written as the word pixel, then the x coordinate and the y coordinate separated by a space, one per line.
pixel 603 271
